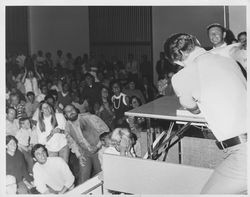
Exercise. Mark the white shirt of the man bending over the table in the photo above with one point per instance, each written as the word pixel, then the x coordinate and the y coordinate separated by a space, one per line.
pixel 220 89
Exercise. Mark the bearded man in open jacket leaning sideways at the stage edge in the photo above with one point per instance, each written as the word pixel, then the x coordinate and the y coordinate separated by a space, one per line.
pixel 82 131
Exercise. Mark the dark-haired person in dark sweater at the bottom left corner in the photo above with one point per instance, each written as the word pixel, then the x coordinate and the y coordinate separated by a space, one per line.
pixel 16 166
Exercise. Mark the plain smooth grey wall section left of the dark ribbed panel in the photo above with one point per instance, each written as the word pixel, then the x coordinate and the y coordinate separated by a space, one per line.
pixel 54 27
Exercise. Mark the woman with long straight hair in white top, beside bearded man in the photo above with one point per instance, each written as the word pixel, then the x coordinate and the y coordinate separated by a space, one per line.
pixel 50 127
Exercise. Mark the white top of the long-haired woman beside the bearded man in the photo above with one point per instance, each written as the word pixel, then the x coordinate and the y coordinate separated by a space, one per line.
pixel 58 140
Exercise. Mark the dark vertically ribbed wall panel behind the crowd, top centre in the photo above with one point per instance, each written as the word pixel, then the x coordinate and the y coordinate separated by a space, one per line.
pixel 119 30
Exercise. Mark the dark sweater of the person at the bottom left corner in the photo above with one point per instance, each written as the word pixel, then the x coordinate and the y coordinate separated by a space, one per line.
pixel 17 167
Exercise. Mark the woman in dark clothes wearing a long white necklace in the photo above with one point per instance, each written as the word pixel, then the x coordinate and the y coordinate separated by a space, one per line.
pixel 120 103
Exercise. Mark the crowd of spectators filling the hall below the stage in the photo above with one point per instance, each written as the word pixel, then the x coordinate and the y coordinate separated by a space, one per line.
pixel 39 94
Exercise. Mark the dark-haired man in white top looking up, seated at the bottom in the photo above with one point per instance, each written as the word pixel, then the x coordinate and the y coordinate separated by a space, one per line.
pixel 51 174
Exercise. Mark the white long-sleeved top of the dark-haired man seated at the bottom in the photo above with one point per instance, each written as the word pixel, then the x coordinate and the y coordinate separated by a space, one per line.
pixel 55 173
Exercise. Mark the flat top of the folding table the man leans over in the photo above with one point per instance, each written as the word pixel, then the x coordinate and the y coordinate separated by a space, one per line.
pixel 163 108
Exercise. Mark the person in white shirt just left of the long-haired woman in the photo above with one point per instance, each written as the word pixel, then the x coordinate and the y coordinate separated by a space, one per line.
pixel 26 139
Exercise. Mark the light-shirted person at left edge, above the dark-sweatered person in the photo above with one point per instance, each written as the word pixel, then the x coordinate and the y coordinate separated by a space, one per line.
pixel 12 124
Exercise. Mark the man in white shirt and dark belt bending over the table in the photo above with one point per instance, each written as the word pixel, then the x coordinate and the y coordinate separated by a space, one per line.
pixel 214 85
